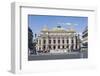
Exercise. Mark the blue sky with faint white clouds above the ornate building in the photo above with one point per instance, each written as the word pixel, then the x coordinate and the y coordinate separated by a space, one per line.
pixel 37 22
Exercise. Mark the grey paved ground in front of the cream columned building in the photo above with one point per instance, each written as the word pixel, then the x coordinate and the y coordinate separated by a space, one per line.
pixel 74 55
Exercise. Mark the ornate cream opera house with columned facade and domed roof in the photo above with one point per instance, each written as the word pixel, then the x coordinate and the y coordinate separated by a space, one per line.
pixel 58 40
